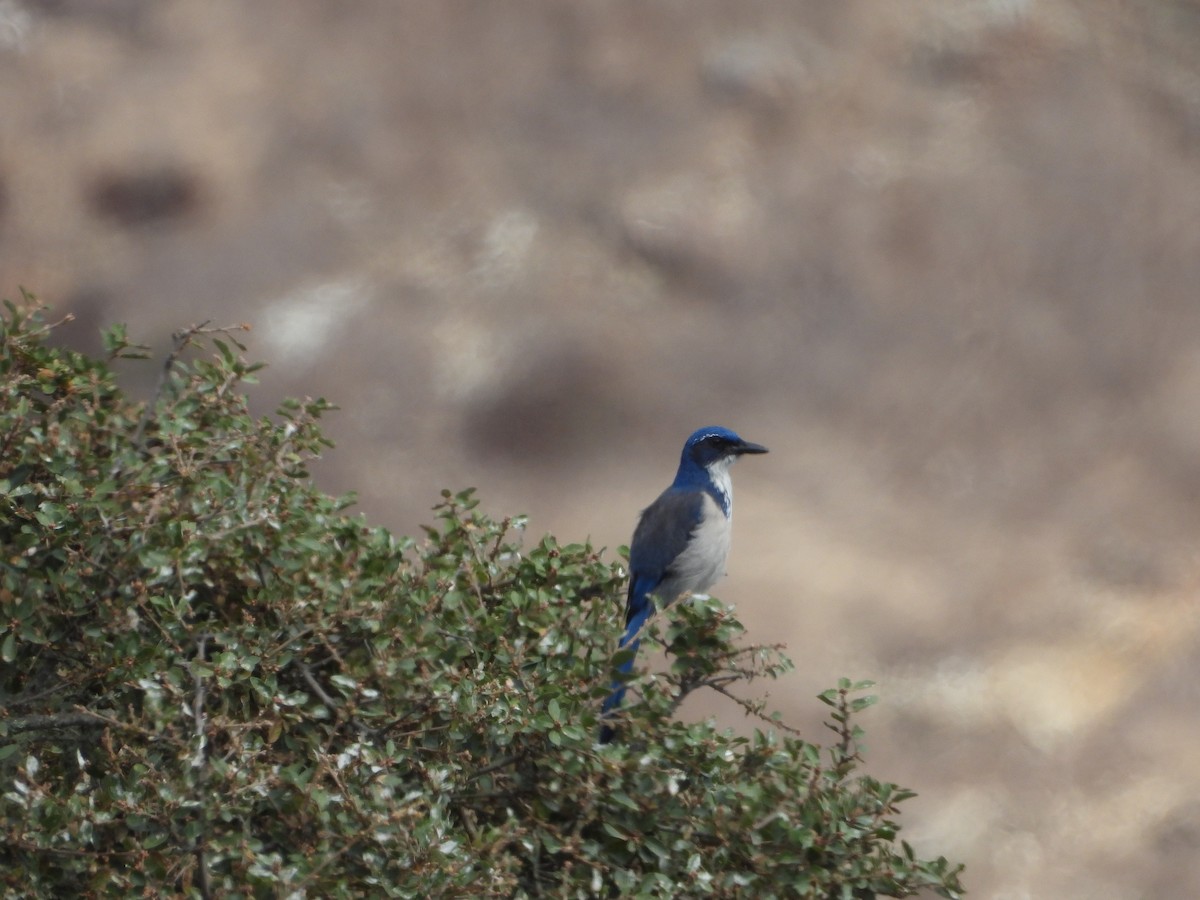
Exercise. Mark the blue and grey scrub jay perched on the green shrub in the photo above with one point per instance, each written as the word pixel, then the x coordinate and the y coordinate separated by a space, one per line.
pixel 681 543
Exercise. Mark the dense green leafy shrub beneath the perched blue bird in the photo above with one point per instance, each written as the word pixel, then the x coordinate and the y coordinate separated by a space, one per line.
pixel 218 683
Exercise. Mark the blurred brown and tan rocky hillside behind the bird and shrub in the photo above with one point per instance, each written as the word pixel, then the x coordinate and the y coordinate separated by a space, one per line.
pixel 943 257
